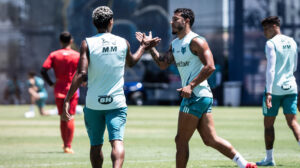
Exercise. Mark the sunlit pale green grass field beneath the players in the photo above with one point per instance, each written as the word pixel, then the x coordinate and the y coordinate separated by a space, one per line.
pixel 149 140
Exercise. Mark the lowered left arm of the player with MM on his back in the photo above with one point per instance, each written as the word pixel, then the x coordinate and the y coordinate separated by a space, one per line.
pixel 79 77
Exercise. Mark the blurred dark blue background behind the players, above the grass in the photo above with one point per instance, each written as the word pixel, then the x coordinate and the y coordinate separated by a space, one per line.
pixel 30 28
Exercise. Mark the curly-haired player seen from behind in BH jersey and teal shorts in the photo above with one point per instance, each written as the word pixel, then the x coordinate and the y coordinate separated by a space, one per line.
pixel 102 62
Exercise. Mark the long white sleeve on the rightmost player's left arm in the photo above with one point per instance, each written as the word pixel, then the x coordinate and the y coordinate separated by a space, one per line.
pixel 271 62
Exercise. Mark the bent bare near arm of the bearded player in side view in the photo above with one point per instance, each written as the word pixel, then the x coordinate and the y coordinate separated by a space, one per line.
pixel 200 48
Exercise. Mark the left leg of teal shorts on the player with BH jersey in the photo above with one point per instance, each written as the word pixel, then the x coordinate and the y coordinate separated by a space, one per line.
pixel 95 125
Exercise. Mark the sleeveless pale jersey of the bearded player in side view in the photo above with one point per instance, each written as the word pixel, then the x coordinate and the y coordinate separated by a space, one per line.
pixel 189 65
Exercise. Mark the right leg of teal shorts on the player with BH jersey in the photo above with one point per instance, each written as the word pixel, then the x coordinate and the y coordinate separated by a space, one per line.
pixel 116 121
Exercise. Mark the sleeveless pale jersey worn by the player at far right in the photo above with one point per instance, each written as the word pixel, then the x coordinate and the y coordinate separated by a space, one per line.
pixel 286 63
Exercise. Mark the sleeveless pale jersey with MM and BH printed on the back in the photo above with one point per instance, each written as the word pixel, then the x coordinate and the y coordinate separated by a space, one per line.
pixel 107 54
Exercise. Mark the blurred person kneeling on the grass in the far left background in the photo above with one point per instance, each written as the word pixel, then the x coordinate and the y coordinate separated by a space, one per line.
pixel 38 95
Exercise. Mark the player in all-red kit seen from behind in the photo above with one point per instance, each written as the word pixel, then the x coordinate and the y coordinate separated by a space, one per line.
pixel 64 63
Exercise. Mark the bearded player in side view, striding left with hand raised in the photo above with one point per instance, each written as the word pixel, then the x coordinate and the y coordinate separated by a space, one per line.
pixel 195 63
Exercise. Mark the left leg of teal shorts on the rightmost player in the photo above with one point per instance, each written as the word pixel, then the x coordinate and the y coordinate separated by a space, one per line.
pixel 273 111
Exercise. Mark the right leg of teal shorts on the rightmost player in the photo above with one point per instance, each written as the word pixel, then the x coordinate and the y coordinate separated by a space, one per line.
pixel 289 104
